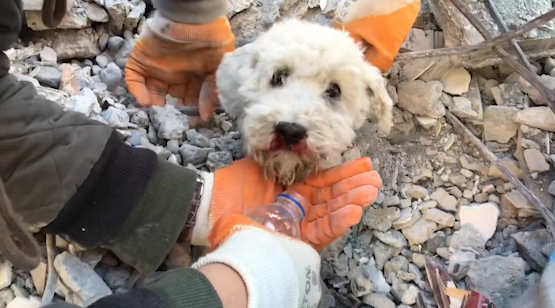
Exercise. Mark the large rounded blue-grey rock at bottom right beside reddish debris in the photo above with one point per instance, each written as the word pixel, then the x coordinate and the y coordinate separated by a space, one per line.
pixel 502 279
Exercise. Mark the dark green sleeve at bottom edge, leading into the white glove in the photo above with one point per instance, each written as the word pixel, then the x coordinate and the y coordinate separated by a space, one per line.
pixel 181 288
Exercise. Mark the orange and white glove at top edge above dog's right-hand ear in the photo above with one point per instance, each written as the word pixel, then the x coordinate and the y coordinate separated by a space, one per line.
pixel 382 26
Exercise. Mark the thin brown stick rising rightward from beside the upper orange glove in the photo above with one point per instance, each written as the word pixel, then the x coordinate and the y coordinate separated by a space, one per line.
pixel 537 22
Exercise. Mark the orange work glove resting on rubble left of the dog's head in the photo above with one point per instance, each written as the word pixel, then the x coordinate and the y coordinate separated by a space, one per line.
pixel 180 60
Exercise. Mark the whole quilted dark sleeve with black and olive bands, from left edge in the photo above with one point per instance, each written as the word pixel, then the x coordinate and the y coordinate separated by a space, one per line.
pixel 76 177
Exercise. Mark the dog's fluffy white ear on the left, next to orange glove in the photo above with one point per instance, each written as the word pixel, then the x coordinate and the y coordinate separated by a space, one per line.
pixel 236 68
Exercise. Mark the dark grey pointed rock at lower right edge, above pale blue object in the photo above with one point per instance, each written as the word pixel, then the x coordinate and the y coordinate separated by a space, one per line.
pixel 530 246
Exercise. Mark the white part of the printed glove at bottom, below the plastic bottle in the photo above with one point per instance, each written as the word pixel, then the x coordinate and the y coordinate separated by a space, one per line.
pixel 278 271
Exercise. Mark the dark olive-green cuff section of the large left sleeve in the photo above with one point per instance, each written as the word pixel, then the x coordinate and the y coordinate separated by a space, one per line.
pixel 155 224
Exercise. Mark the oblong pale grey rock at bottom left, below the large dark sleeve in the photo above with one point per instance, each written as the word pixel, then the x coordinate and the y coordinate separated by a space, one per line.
pixel 80 278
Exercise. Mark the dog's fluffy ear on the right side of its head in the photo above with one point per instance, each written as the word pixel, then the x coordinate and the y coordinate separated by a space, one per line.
pixel 381 105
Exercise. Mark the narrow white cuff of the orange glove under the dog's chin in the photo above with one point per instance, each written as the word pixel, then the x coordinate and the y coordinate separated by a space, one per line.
pixel 202 222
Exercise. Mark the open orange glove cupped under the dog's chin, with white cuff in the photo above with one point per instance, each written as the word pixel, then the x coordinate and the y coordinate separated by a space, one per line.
pixel 336 196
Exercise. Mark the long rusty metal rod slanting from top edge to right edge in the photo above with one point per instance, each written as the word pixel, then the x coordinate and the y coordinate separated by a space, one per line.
pixel 525 72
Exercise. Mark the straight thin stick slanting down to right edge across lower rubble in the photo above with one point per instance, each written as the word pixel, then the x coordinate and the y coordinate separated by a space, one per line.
pixel 544 210
